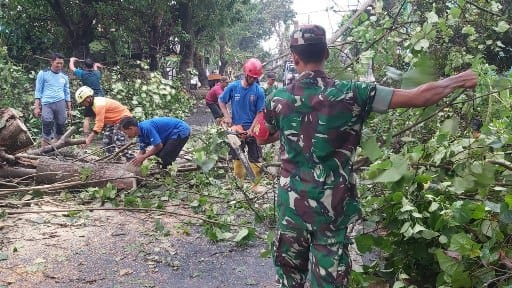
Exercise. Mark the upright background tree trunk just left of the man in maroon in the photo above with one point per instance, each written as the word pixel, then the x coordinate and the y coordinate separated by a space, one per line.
pixel 187 42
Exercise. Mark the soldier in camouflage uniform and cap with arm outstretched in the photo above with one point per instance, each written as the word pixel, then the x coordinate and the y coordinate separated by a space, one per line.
pixel 318 122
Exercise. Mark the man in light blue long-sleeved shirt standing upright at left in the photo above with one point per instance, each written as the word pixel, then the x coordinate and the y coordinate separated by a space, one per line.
pixel 52 99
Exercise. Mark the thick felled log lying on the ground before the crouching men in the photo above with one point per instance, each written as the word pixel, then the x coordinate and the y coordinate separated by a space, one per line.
pixel 73 171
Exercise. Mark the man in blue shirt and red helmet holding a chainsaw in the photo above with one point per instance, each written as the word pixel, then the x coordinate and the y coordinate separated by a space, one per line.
pixel 247 101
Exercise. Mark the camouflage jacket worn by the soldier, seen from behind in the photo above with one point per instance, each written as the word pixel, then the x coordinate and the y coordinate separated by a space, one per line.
pixel 320 122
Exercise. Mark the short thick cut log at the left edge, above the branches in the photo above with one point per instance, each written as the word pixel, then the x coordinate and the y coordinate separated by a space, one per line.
pixel 14 135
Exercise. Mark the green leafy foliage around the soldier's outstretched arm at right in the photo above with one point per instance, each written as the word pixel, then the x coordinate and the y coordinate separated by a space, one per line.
pixel 436 188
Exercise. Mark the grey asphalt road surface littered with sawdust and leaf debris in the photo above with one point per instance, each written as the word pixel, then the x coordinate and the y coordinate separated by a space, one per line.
pixel 122 249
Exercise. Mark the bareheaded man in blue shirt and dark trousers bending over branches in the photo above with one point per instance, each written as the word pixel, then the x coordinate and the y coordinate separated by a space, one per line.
pixel 166 135
